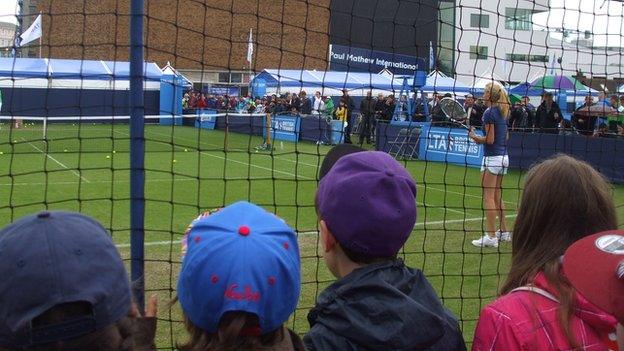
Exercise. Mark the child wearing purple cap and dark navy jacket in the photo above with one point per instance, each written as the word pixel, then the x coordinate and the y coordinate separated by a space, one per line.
pixel 366 204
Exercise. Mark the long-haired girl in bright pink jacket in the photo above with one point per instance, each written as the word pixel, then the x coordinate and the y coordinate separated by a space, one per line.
pixel 563 201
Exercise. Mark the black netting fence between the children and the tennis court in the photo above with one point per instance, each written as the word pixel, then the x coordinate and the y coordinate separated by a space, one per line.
pixel 243 98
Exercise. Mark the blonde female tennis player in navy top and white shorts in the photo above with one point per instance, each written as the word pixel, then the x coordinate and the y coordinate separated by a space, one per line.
pixel 495 163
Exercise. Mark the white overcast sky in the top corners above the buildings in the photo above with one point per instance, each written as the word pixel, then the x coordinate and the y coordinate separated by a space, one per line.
pixel 607 24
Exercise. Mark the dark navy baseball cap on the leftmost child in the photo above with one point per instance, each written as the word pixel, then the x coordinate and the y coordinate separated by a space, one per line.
pixel 53 258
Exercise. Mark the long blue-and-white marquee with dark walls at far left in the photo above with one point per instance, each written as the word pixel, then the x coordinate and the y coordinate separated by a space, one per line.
pixel 53 88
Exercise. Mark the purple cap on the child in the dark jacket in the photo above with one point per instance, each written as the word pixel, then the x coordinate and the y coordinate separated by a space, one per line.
pixel 368 201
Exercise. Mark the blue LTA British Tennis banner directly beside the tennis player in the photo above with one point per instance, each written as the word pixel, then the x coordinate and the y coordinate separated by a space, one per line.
pixel 450 145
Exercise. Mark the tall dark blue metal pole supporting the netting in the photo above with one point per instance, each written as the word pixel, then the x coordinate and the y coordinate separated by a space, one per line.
pixel 137 154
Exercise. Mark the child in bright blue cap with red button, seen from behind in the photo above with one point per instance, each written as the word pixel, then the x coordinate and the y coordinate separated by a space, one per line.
pixel 240 281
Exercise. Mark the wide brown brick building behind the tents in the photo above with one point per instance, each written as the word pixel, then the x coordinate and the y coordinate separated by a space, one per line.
pixel 197 36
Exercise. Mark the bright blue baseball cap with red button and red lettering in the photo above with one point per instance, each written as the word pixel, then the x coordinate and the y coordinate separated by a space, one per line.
pixel 241 258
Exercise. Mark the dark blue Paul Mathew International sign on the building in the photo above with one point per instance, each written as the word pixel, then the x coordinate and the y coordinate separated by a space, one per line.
pixel 345 58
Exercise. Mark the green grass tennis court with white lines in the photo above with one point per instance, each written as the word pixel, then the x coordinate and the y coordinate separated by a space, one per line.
pixel 86 168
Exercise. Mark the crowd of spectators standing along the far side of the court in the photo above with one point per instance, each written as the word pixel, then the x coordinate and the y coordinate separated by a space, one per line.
pixel 547 117
